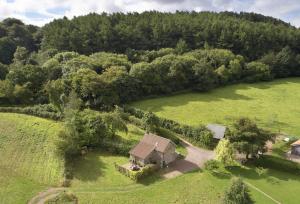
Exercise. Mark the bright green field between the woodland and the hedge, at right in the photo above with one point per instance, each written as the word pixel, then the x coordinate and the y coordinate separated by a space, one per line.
pixel 274 105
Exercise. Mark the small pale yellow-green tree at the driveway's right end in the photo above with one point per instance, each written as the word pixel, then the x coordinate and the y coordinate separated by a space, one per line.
pixel 225 152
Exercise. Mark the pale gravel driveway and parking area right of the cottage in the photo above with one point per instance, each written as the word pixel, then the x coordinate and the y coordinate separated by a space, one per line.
pixel 196 157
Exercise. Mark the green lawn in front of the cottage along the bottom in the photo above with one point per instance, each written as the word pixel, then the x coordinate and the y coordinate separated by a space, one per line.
pixel 96 181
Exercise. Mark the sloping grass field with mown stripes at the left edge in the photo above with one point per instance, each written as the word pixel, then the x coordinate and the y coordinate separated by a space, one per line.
pixel 28 162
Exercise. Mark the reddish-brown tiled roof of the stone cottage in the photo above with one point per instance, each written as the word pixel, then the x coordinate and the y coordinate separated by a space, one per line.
pixel 149 143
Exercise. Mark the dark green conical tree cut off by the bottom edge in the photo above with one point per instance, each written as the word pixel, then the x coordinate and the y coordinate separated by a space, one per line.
pixel 237 193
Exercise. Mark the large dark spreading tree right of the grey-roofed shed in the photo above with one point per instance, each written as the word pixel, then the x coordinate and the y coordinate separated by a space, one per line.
pixel 248 138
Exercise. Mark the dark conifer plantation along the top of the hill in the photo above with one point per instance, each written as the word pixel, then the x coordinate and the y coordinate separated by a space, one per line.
pixel 249 34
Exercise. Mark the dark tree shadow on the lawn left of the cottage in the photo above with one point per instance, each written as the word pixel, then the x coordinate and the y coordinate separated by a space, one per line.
pixel 89 167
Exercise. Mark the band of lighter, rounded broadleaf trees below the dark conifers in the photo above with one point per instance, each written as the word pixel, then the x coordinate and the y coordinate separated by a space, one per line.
pixel 102 79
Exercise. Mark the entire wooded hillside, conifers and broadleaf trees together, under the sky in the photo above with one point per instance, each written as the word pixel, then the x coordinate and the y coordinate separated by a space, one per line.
pixel 109 59
